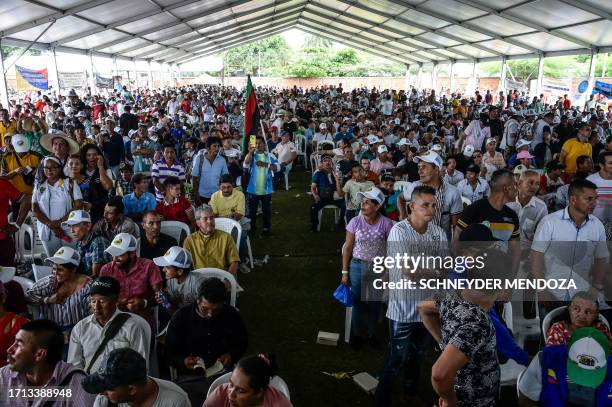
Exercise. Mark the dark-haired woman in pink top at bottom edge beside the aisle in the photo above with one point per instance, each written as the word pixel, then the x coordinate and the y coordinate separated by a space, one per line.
pixel 249 385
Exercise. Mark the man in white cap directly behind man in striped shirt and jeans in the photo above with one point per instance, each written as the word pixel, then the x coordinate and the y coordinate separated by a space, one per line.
pixel 448 198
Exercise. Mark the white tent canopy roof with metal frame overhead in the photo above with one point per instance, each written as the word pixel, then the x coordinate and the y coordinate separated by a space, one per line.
pixel 406 31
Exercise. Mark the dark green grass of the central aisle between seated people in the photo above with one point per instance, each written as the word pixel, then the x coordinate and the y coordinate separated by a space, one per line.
pixel 288 300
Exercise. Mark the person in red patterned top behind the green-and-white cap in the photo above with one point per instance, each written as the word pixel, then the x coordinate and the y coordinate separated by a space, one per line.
pixel 582 312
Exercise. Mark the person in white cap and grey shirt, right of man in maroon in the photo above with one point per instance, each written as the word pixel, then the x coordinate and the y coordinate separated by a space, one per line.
pixel 182 284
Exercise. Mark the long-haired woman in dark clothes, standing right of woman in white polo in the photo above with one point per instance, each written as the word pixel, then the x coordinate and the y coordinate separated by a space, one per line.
pixel 100 179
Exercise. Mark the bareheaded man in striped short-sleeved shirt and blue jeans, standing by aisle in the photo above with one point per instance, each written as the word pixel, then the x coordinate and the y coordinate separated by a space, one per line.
pixel 408 338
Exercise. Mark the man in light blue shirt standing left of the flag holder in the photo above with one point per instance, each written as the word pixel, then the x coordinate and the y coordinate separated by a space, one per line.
pixel 207 170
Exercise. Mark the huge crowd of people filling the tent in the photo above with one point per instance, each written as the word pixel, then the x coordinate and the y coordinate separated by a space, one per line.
pixel 96 175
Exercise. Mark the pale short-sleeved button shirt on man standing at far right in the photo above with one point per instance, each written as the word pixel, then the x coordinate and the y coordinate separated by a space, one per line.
pixel 557 237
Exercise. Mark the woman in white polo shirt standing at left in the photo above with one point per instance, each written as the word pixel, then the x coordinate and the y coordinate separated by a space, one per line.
pixel 52 200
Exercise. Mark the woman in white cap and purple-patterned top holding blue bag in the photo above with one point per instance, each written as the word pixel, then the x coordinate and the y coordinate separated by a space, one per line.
pixel 366 238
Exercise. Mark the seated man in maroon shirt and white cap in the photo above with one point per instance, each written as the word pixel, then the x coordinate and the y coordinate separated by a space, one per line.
pixel 139 277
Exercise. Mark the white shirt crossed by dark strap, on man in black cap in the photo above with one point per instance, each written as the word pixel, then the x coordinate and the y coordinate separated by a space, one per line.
pixel 87 335
